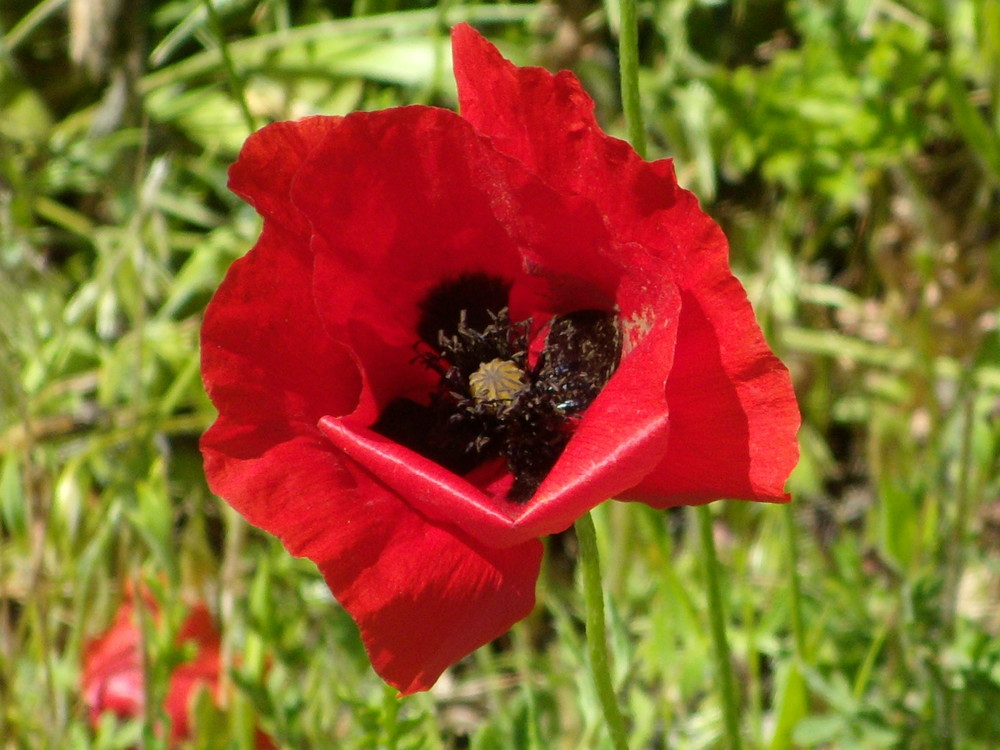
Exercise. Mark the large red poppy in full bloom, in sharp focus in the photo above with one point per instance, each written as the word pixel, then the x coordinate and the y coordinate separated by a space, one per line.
pixel 458 333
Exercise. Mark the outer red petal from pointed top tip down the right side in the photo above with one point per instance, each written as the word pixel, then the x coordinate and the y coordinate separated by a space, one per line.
pixel 738 442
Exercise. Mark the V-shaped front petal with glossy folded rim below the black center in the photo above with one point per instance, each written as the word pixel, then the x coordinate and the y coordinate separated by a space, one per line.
pixel 620 440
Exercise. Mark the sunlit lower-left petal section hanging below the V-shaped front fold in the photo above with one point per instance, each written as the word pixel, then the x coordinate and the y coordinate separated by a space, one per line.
pixel 423 595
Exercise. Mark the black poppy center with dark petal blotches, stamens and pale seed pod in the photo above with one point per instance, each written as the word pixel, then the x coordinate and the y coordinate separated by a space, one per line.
pixel 489 403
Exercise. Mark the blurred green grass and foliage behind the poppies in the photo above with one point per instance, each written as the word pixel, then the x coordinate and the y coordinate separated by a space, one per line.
pixel 851 150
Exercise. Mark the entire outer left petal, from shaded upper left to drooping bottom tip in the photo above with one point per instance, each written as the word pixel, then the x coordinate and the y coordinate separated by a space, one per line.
pixel 273 372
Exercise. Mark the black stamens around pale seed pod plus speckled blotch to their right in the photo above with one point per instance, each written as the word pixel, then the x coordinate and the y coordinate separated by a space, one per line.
pixel 530 425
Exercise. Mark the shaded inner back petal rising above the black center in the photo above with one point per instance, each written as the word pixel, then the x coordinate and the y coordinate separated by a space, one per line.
pixel 405 199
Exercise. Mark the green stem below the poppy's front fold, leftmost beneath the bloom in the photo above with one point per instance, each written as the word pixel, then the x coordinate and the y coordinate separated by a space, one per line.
pixel 597 646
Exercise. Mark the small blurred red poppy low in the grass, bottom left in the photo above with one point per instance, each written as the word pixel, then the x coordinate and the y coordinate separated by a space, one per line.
pixel 113 674
